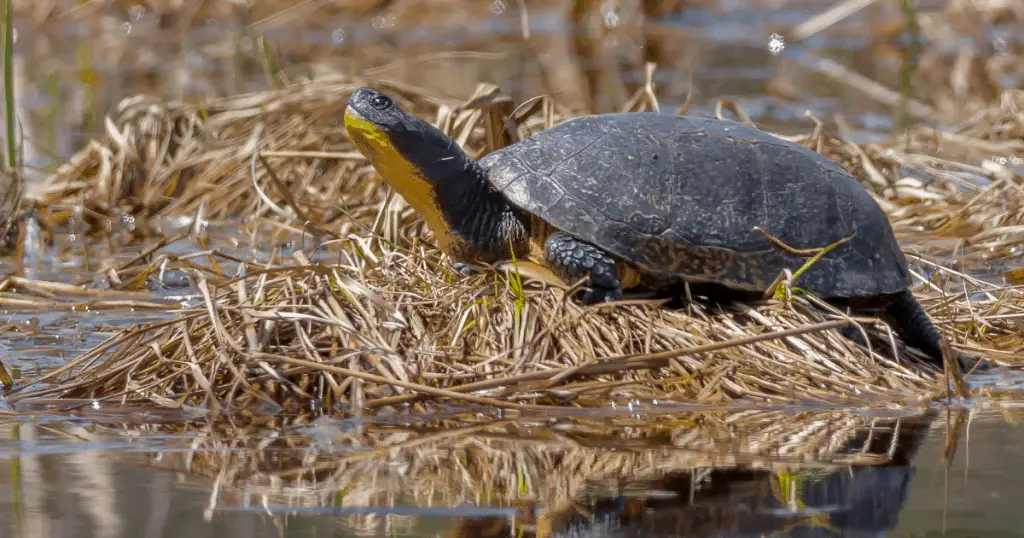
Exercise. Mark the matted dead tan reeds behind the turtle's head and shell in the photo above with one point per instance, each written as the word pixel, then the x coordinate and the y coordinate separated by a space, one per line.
pixel 181 159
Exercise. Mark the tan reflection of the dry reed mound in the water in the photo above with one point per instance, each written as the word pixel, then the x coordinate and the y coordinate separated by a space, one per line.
pixel 523 464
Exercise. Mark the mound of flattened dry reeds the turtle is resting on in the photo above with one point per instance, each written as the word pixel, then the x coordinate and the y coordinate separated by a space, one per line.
pixel 404 326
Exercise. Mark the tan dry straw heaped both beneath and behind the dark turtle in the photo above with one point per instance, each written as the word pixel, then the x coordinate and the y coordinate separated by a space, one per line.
pixel 383 319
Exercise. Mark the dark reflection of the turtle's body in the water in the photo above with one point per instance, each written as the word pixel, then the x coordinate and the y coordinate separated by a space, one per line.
pixel 778 500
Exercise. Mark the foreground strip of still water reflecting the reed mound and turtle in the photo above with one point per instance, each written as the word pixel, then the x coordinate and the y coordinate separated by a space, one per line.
pixel 711 474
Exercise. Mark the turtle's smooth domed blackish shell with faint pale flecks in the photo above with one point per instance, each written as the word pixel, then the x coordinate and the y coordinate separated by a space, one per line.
pixel 681 196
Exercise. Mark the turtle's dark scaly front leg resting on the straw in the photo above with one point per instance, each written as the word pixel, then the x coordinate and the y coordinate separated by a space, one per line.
pixel 573 260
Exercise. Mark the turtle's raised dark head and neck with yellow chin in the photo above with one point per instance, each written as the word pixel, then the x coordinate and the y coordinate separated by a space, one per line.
pixel 419 161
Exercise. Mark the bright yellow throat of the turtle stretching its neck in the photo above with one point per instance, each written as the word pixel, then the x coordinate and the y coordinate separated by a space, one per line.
pixel 403 176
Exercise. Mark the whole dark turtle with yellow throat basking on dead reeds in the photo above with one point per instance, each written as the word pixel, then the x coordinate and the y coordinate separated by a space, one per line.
pixel 645 199
